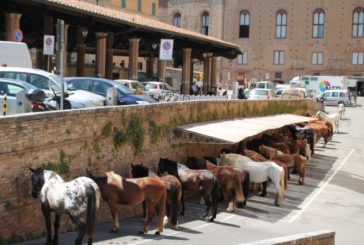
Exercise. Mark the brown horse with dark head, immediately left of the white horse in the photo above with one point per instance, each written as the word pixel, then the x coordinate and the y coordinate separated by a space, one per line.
pixel 233 182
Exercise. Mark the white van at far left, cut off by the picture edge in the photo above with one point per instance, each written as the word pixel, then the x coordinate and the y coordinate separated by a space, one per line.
pixel 14 54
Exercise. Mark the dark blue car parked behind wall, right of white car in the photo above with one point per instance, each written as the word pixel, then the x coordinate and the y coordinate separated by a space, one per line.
pixel 100 86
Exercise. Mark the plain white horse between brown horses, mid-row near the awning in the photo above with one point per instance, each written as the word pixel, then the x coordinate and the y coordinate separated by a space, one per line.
pixel 259 172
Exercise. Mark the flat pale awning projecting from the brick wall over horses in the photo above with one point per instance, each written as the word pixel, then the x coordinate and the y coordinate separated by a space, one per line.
pixel 236 130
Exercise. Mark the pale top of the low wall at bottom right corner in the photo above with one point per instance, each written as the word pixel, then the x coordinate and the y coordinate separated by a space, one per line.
pixel 316 235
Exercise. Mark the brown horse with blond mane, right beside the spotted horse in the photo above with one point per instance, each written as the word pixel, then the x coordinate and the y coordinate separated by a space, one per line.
pixel 116 189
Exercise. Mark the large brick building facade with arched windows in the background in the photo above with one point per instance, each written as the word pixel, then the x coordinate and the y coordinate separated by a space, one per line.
pixel 280 39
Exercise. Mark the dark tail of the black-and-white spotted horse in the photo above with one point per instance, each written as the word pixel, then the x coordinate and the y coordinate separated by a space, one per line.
pixel 92 205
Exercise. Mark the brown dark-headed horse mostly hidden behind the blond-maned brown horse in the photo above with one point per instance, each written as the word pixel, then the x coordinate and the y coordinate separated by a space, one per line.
pixel 174 192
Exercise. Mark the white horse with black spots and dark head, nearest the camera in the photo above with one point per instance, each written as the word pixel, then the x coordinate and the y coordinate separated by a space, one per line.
pixel 81 195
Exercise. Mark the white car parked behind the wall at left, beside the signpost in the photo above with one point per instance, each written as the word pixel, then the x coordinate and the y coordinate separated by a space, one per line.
pixel 49 82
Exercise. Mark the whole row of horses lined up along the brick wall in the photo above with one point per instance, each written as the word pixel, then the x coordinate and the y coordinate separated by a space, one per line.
pixel 230 175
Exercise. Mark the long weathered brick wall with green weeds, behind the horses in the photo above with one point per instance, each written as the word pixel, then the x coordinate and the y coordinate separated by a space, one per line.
pixel 99 139
